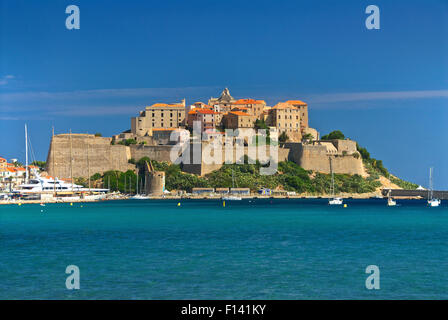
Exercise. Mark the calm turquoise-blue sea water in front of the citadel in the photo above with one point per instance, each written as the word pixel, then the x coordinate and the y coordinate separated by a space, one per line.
pixel 259 249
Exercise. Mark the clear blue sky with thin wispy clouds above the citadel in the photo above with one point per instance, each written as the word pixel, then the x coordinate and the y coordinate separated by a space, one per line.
pixel 387 88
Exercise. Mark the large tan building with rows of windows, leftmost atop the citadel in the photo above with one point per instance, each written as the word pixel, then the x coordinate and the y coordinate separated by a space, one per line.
pixel 160 116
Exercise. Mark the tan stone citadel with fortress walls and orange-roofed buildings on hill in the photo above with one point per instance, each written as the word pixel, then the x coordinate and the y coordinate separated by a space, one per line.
pixel 81 155
